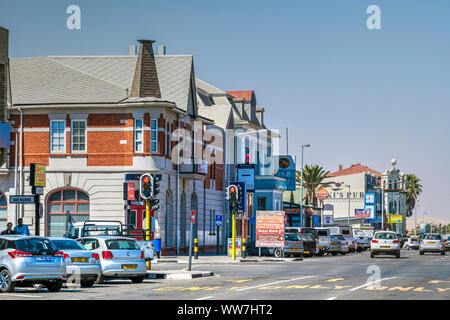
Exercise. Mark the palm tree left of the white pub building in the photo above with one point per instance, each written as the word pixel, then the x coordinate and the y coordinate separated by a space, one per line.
pixel 312 180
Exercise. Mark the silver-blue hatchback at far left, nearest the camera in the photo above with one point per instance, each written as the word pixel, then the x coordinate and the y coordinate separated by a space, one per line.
pixel 29 260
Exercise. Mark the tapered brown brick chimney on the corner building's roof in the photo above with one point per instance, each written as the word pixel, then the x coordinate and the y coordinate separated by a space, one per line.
pixel 145 82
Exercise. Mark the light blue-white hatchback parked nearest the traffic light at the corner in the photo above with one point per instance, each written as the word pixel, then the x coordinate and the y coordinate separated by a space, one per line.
pixel 120 257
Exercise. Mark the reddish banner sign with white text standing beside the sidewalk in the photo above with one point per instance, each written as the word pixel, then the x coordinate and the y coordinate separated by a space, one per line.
pixel 270 229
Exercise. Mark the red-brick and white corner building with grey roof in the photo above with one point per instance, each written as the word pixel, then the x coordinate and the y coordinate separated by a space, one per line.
pixel 95 120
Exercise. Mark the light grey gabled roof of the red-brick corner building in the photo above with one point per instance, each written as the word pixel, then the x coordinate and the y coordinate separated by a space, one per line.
pixel 94 79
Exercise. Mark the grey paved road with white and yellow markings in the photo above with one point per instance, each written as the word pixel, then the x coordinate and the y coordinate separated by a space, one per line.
pixel 354 276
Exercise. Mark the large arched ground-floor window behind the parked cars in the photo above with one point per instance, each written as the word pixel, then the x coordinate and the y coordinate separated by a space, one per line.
pixel 65 207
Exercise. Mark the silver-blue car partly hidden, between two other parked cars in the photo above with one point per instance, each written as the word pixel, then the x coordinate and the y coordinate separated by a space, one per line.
pixel 79 261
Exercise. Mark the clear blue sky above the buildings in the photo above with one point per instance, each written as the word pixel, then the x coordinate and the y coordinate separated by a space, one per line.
pixel 358 96
